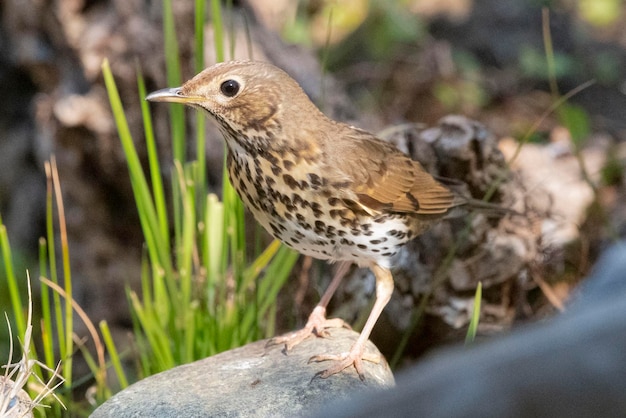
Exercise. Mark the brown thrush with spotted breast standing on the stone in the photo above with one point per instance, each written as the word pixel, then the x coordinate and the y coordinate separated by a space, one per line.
pixel 327 189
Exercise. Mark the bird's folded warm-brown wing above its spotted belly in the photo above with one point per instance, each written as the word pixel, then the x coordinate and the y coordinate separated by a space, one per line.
pixel 385 179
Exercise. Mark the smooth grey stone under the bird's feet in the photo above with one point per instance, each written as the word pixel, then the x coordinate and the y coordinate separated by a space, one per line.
pixel 249 381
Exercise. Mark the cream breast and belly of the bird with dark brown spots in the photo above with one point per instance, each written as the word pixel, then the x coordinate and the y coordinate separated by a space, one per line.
pixel 294 202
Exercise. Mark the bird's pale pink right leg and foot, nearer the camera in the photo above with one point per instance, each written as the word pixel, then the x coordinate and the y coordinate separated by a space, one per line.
pixel 356 355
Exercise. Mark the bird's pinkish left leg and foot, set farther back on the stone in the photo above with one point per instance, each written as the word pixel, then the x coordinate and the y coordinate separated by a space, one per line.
pixel 317 322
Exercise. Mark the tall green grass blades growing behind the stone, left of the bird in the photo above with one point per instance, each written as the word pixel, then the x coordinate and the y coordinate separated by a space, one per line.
pixel 197 299
